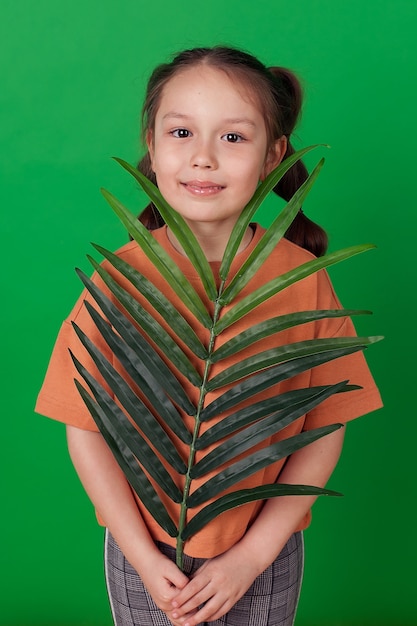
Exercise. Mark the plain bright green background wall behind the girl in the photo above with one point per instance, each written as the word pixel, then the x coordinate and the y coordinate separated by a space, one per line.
pixel 72 80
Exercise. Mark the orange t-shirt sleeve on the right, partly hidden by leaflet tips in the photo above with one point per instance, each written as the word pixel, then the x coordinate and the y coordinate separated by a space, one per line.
pixel 341 407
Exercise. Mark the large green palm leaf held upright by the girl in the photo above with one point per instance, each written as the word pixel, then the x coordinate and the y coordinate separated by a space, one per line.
pixel 152 359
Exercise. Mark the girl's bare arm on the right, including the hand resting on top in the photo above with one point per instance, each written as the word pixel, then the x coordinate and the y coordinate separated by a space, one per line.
pixel 221 581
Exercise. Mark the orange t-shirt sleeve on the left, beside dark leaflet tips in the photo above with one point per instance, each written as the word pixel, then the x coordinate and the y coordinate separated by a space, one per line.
pixel 59 398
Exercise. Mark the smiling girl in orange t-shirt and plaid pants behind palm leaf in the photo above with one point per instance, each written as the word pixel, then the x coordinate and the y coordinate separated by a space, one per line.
pixel 216 122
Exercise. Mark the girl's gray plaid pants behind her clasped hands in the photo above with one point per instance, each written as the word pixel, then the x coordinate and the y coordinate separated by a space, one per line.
pixel 270 601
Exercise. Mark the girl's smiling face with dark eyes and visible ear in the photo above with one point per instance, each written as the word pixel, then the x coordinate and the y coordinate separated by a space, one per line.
pixel 209 147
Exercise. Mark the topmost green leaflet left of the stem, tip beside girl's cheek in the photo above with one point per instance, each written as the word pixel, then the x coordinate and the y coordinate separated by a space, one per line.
pixel 180 228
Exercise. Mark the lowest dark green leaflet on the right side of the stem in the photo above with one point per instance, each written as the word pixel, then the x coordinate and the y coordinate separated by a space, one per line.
pixel 243 496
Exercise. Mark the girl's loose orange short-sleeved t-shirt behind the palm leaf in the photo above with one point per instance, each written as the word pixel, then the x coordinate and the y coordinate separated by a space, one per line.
pixel 60 400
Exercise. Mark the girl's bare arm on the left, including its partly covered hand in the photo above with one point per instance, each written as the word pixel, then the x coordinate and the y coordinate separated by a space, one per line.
pixel 112 496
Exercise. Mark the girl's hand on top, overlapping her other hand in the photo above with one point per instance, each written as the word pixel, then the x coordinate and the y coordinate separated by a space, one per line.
pixel 218 584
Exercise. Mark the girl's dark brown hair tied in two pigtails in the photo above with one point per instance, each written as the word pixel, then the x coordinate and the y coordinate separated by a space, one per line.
pixel 279 96
